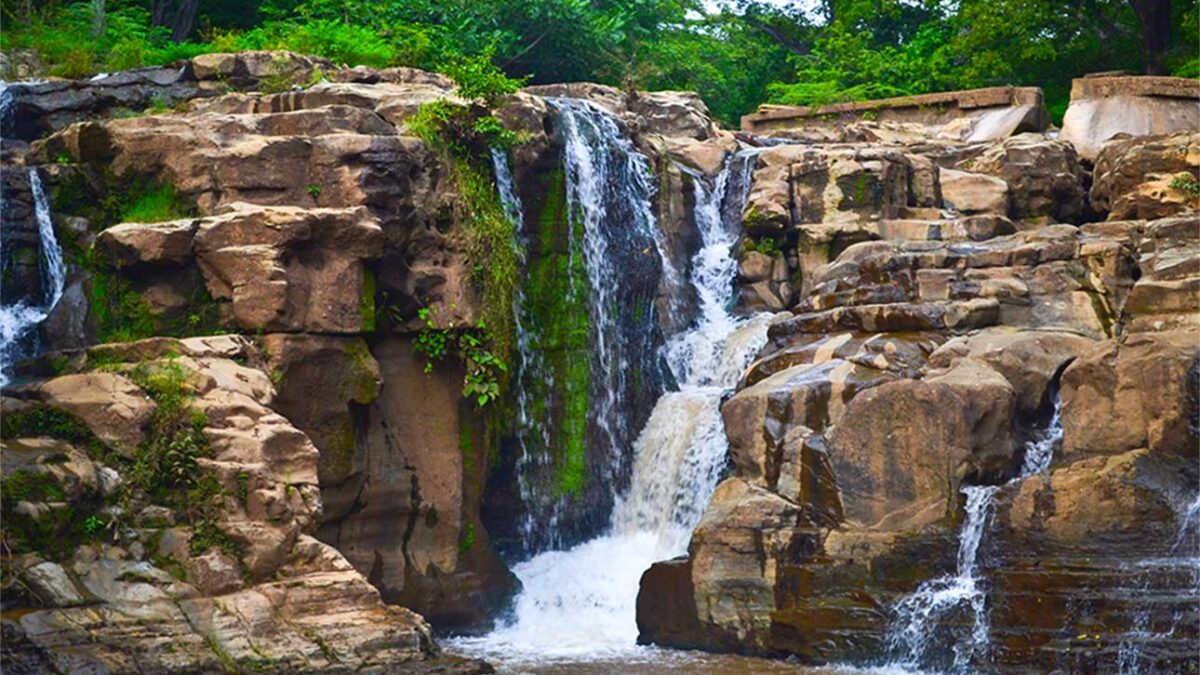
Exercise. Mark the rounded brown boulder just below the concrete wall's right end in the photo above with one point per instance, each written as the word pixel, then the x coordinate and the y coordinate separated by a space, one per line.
pixel 1045 177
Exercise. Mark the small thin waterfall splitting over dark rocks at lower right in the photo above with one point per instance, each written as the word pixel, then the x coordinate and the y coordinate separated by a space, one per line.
pixel 917 618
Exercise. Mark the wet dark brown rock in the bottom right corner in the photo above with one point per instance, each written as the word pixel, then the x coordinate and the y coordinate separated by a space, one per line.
pixel 1101 527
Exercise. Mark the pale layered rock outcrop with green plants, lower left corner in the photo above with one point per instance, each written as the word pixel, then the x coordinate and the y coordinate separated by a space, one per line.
pixel 137 575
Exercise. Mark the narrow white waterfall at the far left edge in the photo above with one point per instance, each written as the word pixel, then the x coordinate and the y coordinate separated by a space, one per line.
pixel 19 321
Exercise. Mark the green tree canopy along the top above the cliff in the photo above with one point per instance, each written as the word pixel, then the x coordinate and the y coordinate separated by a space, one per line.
pixel 736 53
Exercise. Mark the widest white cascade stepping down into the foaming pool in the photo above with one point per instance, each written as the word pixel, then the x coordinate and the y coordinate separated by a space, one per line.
pixel 579 605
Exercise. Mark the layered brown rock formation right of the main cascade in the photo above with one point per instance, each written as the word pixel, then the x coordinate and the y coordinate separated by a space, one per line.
pixel 955 297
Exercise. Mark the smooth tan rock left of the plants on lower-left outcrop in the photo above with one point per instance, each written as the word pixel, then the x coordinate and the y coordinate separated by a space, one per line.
pixel 113 408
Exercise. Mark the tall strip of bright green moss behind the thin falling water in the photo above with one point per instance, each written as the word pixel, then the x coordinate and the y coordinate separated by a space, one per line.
pixel 557 304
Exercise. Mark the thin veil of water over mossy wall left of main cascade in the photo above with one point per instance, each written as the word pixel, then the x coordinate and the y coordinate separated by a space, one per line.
pixel 573 427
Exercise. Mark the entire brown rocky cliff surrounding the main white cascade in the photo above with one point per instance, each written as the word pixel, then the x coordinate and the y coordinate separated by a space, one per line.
pixel 235 450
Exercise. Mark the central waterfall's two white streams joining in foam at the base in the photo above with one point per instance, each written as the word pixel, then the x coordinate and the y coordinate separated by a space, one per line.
pixel 580 604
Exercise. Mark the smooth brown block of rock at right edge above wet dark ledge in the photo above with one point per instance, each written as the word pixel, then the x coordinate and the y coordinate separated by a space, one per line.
pixel 1150 383
